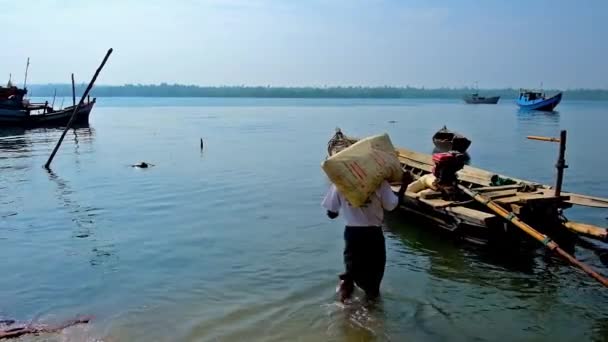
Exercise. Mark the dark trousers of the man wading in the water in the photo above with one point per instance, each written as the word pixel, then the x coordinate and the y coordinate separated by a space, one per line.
pixel 364 258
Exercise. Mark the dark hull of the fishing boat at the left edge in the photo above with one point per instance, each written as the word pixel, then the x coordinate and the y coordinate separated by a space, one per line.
pixel 20 118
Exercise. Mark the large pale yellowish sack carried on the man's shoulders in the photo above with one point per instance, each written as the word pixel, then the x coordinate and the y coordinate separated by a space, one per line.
pixel 360 168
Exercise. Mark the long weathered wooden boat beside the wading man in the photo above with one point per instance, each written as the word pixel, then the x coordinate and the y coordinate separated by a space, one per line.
pixel 467 219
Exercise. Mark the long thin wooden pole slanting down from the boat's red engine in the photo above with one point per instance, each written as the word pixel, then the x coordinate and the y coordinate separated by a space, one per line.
pixel 542 238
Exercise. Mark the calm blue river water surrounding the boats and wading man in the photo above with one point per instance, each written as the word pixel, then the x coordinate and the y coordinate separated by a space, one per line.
pixel 231 244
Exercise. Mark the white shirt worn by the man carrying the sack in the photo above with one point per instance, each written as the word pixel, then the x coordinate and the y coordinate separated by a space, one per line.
pixel 370 214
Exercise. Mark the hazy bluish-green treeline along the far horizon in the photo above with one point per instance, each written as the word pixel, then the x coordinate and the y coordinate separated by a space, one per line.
pixel 177 90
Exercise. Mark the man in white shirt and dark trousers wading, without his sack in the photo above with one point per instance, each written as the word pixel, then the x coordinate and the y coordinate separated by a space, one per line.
pixel 364 248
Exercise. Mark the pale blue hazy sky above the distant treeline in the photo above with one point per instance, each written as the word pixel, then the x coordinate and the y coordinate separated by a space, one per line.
pixel 433 43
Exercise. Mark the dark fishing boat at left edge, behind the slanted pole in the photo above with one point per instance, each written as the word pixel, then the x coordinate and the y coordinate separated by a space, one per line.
pixel 15 111
